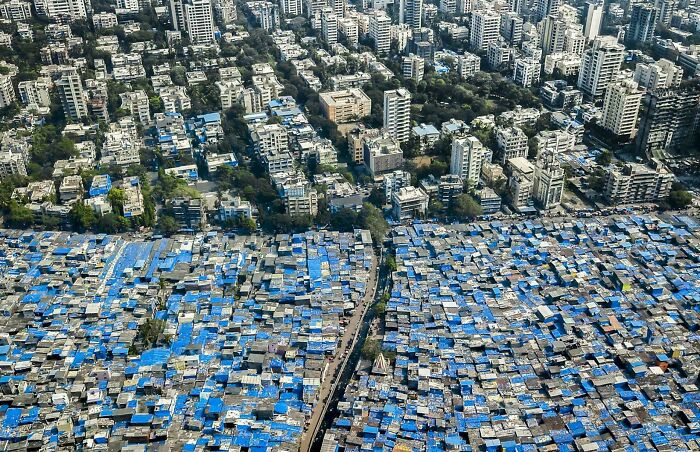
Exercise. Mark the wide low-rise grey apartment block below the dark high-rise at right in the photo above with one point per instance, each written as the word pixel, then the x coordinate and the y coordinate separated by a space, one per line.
pixel 636 182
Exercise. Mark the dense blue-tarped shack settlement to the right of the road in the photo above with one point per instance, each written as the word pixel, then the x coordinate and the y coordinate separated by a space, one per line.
pixel 546 335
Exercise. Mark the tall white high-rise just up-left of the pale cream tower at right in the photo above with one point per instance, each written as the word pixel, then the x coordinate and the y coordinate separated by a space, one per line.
pixel 599 65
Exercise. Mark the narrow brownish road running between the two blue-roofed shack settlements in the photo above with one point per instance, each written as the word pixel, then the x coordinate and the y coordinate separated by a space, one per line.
pixel 337 364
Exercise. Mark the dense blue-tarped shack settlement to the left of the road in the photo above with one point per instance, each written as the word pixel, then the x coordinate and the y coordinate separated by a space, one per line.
pixel 244 328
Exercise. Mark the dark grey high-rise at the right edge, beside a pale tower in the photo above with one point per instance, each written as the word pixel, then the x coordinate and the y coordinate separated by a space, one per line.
pixel 669 119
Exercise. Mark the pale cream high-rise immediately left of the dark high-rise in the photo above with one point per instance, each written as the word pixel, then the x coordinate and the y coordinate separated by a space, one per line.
pixel 621 107
